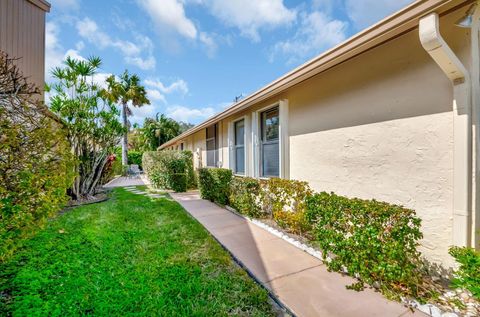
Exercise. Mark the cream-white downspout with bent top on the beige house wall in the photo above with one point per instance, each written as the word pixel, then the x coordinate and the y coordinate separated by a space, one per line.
pixel 453 68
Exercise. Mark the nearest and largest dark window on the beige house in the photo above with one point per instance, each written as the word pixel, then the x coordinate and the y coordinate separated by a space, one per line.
pixel 269 143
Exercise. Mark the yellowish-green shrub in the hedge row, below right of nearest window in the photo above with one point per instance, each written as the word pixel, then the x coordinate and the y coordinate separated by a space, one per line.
pixel 284 200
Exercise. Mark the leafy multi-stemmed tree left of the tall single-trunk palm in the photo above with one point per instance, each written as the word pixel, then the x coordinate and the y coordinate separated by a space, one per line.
pixel 91 121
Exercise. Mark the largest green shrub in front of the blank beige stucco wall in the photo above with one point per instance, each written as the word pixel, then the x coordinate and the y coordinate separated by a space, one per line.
pixel 374 240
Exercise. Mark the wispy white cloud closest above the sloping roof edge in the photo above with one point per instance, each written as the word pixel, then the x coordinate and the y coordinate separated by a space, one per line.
pixel 316 33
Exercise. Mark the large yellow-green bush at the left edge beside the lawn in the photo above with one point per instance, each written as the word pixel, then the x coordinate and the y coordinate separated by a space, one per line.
pixel 36 167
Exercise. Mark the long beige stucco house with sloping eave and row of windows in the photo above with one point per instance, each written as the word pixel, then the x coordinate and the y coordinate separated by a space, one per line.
pixel 374 117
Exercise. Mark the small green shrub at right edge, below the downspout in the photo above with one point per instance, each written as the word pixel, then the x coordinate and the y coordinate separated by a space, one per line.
pixel 468 274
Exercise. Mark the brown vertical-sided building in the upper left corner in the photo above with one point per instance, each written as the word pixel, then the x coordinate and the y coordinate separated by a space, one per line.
pixel 22 35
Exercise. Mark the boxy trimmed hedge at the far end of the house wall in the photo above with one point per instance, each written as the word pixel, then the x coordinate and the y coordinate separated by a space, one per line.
pixel 169 169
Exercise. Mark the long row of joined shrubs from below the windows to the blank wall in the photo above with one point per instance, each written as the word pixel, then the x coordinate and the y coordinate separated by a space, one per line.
pixel 375 241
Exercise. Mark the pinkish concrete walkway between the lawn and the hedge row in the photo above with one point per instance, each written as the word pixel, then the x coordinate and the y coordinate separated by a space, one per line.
pixel 299 280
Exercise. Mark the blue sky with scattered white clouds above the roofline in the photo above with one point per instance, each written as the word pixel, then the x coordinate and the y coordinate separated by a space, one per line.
pixel 195 56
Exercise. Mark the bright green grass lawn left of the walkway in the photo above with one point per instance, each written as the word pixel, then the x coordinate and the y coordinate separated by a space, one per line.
pixel 130 255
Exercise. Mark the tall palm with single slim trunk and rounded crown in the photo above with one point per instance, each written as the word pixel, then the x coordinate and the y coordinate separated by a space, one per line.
pixel 124 91
